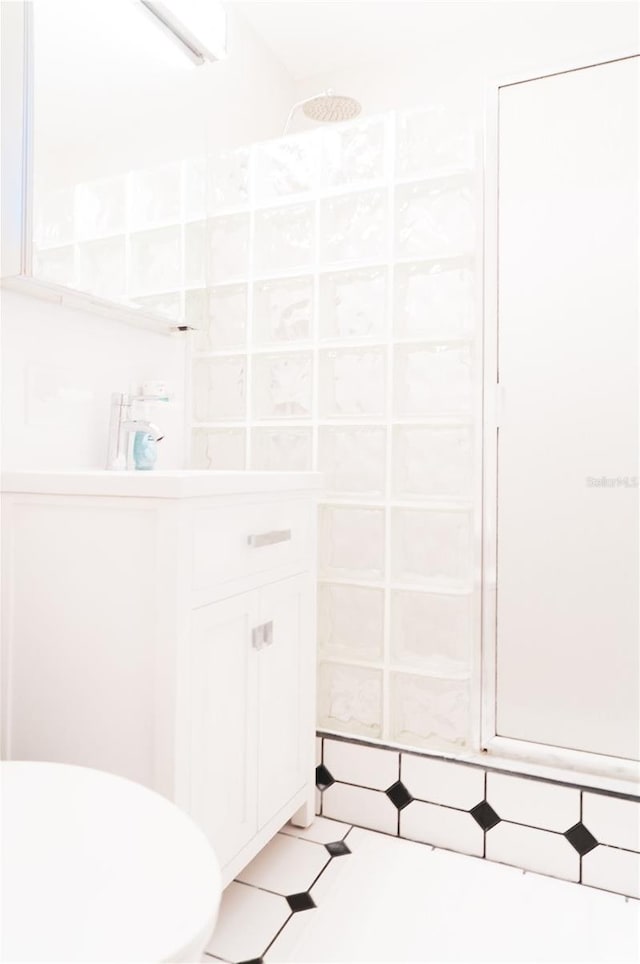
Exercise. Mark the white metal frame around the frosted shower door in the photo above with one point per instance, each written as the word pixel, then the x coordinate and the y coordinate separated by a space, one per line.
pixel 594 769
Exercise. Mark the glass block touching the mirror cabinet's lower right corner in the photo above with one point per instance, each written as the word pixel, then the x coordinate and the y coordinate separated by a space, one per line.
pixel 221 315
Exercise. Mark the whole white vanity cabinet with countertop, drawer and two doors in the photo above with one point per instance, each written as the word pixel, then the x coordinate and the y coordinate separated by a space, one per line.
pixel 162 626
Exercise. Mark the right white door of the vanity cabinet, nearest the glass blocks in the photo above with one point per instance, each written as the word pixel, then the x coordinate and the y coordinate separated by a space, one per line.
pixel 287 697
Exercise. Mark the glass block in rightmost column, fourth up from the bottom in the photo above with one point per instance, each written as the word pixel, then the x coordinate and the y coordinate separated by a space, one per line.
pixel 433 461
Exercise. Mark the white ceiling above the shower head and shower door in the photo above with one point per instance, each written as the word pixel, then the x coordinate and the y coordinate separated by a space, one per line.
pixel 317 36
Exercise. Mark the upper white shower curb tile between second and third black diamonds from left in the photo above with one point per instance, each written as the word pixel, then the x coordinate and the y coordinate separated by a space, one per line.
pixel 439 781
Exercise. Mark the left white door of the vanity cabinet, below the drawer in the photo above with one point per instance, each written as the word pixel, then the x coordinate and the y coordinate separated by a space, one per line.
pixel 223 719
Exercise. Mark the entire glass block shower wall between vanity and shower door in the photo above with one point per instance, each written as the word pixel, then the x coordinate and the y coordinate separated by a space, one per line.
pixel 339 333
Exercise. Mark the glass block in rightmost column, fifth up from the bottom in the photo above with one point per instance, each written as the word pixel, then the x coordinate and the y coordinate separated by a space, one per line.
pixel 432 380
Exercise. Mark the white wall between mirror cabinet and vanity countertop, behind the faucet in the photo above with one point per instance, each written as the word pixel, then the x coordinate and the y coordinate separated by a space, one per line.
pixel 59 368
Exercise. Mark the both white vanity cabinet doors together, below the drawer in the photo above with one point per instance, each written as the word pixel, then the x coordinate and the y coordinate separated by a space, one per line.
pixel 237 785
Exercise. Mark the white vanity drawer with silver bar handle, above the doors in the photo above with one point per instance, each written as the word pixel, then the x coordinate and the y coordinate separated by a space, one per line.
pixel 234 541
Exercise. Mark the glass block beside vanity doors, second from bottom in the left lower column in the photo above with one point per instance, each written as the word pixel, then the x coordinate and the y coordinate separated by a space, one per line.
pixel 350 622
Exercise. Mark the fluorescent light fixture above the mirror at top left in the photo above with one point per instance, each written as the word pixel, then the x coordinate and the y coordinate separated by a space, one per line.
pixel 199 26
